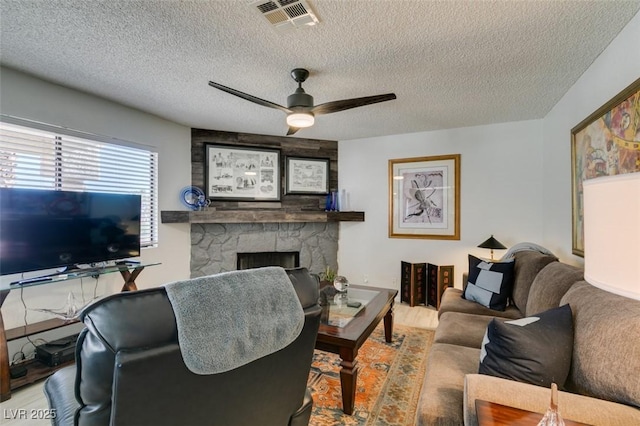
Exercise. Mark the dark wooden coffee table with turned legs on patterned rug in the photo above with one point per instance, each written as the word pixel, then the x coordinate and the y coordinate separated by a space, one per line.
pixel 343 334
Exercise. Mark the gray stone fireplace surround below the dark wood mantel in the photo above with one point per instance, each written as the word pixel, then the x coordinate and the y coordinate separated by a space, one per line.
pixel 215 246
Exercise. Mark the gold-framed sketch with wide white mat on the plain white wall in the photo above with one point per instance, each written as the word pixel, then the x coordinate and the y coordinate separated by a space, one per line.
pixel 424 197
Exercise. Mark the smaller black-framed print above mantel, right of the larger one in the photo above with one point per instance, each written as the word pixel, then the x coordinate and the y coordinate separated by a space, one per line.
pixel 307 175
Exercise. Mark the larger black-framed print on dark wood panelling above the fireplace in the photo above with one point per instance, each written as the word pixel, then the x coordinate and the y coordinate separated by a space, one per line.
pixel 242 173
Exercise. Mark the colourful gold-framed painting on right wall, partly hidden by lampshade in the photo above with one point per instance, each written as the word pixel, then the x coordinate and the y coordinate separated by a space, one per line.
pixel 605 143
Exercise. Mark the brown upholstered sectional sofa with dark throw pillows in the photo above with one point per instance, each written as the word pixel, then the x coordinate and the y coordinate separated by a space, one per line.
pixel 603 387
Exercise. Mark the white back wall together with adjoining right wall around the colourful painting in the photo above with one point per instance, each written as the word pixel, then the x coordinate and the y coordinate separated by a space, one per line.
pixel 516 181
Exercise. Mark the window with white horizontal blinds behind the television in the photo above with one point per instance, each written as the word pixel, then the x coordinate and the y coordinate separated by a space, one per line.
pixel 35 158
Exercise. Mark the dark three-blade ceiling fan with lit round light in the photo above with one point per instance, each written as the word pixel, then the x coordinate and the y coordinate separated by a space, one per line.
pixel 300 109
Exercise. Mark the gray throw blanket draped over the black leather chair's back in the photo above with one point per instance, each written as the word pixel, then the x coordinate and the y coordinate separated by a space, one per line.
pixel 230 319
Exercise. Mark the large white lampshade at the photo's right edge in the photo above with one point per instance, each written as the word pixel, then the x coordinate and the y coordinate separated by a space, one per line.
pixel 612 233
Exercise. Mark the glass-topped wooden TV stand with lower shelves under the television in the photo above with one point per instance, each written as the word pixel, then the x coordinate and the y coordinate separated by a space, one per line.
pixel 36 370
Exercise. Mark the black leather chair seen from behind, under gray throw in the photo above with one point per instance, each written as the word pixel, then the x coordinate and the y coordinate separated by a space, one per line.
pixel 129 370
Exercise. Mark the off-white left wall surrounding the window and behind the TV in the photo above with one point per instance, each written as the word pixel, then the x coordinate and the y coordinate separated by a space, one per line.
pixel 30 98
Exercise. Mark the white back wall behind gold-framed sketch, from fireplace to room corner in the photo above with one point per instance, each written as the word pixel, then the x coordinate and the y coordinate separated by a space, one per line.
pixel 500 191
